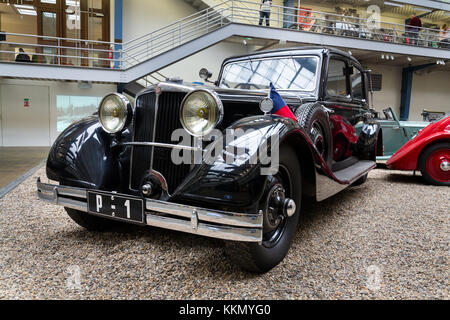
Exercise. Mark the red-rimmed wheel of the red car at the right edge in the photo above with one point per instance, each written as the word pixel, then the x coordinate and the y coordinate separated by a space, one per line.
pixel 434 163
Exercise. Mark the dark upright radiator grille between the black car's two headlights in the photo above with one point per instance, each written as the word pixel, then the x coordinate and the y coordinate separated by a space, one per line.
pixel 167 120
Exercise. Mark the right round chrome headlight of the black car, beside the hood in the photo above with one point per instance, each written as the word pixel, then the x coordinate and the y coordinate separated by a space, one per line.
pixel 201 111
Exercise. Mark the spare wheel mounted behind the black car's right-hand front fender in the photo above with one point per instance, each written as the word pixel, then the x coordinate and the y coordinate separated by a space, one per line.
pixel 313 118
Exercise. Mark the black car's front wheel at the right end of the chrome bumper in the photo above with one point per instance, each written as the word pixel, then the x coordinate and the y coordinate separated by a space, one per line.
pixel 278 228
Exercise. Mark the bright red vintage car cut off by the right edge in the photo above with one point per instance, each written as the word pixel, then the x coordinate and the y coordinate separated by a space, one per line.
pixel 428 152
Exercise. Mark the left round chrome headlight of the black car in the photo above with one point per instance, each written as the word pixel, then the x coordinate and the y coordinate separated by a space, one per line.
pixel 114 112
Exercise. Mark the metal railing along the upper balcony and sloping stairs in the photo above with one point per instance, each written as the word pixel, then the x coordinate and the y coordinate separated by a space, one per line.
pixel 100 54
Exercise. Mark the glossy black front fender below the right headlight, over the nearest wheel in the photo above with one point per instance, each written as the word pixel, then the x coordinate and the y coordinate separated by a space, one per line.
pixel 238 184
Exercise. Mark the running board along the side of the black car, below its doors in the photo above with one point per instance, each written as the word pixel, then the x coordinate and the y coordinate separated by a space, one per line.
pixel 327 186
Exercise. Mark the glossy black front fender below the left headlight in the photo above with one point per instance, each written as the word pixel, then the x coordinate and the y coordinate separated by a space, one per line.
pixel 82 156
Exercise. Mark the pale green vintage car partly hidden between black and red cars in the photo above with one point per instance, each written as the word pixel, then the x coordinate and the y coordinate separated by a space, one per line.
pixel 395 132
